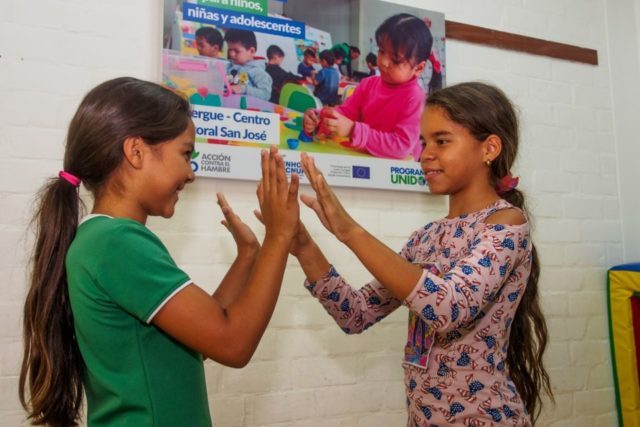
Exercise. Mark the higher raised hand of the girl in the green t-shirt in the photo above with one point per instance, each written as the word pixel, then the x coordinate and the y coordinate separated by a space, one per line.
pixel 278 200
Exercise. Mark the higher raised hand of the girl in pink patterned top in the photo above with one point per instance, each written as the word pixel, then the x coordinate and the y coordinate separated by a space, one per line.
pixel 326 205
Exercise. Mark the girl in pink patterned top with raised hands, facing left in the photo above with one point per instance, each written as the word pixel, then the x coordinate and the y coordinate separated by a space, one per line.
pixel 476 332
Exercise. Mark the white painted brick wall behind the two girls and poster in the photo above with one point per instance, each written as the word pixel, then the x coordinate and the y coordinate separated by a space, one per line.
pixel 306 372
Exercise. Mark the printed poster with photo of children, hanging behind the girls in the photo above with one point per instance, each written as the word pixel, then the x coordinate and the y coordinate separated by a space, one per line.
pixel 251 69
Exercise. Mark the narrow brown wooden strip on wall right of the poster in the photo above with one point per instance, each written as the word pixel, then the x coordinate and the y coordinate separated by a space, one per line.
pixel 501 39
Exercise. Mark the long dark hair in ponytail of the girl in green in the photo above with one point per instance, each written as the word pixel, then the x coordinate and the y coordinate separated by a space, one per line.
pixel 52 372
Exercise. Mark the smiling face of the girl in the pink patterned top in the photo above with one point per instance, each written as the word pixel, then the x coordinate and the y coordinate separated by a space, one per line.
pixel 453 160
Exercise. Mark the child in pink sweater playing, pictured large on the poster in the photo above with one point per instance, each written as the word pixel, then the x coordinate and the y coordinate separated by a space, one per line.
pixel 382 117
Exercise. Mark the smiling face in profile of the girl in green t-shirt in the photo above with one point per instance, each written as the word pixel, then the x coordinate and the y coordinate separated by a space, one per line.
pixel 167 171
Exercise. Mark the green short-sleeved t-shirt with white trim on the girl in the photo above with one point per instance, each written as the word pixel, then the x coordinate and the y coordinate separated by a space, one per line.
pixel 120 274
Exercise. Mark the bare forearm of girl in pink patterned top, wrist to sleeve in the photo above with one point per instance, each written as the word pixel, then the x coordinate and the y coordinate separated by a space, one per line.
pixel 394 272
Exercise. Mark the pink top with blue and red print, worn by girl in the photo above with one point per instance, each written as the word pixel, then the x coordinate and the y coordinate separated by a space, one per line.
pixel 460 315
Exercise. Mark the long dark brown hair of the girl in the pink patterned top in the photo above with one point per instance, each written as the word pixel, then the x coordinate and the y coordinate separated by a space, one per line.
pixel 485 110
